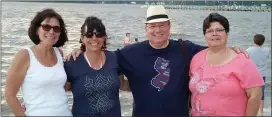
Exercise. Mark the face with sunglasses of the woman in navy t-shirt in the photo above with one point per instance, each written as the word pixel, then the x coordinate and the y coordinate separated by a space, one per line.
pixel 93 41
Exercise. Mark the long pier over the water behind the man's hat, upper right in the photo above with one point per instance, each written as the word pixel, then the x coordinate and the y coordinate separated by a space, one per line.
pixel 216 5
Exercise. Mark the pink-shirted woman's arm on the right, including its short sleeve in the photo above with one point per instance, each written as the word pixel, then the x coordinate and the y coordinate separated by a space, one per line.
pixel 251 81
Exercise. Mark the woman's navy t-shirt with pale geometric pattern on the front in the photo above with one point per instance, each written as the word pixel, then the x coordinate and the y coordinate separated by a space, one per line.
pixel 95 92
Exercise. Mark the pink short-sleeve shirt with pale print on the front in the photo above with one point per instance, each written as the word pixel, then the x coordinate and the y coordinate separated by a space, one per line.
pixel 220 90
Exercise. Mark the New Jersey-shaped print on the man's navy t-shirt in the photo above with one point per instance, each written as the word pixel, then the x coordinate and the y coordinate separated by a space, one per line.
pixel 162 67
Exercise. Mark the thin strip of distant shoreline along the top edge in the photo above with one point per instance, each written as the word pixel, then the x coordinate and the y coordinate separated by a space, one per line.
pixel 164 2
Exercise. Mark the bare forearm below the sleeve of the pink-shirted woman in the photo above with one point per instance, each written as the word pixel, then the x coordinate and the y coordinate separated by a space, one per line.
pixel 254 98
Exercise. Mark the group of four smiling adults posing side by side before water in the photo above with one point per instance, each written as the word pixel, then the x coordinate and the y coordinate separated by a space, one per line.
pixel 162 73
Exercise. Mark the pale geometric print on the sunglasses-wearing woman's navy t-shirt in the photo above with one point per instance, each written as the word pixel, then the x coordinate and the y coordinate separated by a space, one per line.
pixel 98 100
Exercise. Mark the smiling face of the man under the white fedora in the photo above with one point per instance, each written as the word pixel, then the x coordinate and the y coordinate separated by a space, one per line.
pixel 158 33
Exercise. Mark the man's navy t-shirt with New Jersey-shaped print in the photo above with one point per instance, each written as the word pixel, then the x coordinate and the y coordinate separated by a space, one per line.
pixel 158 78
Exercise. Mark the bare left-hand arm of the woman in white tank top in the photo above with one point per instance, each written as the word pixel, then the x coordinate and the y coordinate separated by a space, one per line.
pixel 15 78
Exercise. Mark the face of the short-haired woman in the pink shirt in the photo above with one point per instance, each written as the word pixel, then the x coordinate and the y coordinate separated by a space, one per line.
pixel 216 36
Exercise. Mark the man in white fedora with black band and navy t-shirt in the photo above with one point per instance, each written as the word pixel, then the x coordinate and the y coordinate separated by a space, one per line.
pixel 157 69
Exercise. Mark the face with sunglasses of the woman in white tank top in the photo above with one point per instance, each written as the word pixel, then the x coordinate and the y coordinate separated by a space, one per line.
pixel 49 31
